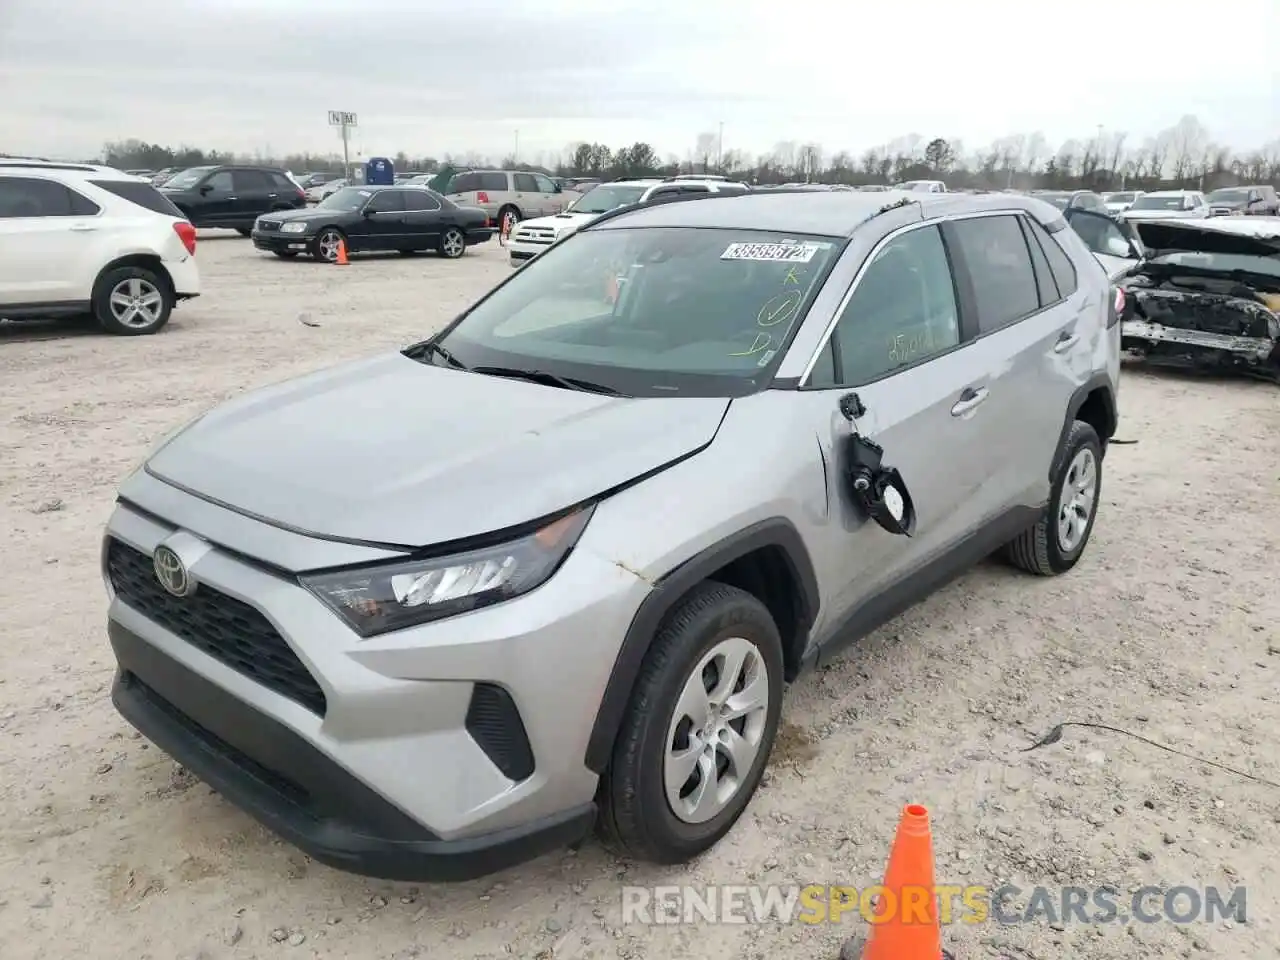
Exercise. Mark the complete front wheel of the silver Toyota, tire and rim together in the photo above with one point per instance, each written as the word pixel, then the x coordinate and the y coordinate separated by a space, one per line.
pixel 698 732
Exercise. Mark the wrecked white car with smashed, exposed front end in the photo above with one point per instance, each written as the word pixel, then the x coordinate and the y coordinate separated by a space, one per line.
pixel 1201 295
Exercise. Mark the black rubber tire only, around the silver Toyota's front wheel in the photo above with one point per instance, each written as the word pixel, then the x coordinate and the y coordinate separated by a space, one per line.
pixel 637 820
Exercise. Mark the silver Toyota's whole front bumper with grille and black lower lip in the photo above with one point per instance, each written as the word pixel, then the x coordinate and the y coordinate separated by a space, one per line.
pixel 438 752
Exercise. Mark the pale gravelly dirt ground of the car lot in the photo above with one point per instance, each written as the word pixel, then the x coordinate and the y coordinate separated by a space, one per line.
pixel 1167 629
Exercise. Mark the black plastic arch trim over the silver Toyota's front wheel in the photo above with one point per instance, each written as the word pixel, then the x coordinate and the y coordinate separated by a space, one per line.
pixel 778 532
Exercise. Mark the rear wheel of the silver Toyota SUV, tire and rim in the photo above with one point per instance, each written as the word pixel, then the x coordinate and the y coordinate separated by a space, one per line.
pixel 1058 541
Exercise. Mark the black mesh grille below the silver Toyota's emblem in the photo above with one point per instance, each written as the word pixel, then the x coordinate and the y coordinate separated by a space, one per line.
pixel 227 629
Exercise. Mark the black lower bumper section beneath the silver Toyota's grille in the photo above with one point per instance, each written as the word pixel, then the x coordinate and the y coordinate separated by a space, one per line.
pixel 296 792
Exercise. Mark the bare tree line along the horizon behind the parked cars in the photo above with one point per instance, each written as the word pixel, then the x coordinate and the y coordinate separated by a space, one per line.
pixel 1185 156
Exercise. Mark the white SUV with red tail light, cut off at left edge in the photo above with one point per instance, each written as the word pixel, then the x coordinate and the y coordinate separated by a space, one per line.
pixel 77 239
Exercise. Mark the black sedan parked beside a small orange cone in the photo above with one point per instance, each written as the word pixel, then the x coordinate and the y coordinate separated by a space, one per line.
pixel 368 220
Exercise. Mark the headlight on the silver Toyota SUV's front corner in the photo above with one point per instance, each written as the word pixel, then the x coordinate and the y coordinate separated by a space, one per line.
pixel 395 596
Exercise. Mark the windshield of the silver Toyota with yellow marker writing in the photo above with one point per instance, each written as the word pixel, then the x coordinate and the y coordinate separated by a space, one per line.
pixel 652 312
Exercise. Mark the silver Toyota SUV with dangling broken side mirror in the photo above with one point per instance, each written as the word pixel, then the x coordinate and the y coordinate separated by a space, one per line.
pixel 441 611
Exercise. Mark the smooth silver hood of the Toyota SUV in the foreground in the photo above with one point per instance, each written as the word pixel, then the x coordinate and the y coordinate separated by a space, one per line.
pixel 392 451
